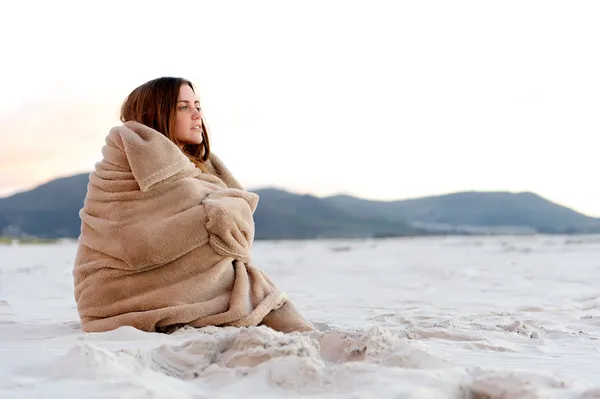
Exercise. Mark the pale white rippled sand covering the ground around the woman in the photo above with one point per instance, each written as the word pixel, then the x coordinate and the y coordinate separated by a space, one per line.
pixel 496 317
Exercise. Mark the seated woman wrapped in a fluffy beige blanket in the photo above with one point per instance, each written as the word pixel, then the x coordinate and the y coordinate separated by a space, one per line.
pixel 167 231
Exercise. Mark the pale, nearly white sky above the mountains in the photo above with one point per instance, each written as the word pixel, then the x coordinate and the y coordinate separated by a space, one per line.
pixel 378 99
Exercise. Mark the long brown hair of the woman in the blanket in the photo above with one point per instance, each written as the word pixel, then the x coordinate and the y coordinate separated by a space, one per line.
pixel 154 104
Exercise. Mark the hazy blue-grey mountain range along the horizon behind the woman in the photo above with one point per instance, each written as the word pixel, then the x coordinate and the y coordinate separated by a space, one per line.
pixel 52 210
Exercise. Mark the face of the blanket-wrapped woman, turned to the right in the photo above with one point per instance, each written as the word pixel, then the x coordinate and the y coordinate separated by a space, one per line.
pixel 188 118
